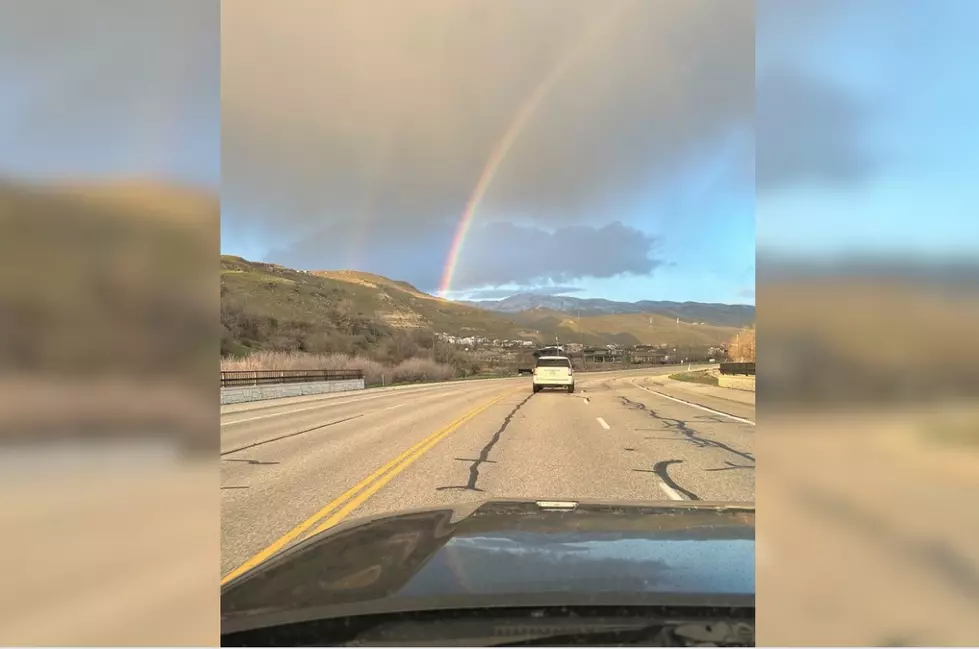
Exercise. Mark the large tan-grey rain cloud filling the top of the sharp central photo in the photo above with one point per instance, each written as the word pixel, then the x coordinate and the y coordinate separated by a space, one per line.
pixel 331 115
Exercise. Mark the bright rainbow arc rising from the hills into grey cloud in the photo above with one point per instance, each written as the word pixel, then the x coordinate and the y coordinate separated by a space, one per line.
pixel 501 149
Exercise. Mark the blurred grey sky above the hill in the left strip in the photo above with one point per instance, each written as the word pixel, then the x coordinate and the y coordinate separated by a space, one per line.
pixel 95 89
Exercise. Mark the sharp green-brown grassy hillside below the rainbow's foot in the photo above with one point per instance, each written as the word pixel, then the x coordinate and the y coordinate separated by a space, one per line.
pixel 270 307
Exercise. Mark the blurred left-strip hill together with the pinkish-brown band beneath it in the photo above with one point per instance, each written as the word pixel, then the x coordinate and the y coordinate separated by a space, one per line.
pixel 108 311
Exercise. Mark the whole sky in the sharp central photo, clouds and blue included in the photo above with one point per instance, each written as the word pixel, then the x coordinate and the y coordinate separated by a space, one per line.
pixel 609 145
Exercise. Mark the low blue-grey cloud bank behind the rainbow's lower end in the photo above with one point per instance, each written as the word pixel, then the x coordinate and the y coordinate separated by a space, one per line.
pixel 495 254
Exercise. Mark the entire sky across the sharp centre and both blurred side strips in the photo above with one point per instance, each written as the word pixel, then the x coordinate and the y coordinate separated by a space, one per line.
pixel 628 151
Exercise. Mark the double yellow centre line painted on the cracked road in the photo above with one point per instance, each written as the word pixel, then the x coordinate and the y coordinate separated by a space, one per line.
pixel 338 509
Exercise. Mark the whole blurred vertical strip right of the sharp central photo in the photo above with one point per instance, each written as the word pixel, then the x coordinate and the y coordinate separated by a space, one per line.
pixel 867 157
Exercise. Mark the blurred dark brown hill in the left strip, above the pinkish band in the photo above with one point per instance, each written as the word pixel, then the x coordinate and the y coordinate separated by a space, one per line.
pixel 107 276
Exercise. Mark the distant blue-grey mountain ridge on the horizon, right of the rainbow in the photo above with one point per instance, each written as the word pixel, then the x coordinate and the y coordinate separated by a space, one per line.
pixel 728 315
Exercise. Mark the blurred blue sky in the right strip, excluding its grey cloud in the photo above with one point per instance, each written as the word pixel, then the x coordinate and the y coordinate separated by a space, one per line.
pixel 909 69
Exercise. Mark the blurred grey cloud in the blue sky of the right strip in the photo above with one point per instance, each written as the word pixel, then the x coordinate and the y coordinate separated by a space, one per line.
pixel 809 131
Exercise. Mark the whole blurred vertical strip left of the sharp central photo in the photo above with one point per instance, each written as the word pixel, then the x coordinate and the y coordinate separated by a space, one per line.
pixel 109 179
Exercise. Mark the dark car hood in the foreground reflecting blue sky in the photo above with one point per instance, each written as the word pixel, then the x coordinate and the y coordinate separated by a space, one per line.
pixel 505 553
